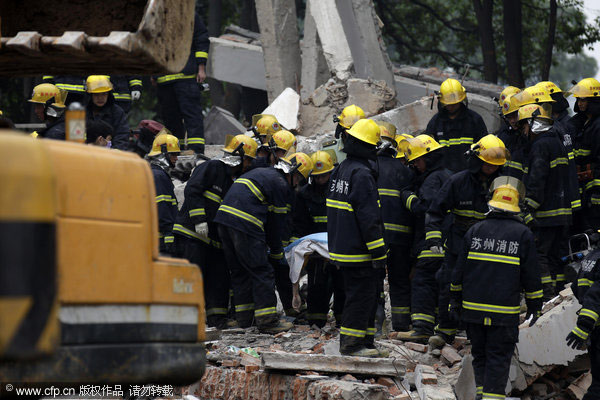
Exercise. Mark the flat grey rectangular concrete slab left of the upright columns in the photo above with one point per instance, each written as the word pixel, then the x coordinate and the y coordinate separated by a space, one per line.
pixel 235 62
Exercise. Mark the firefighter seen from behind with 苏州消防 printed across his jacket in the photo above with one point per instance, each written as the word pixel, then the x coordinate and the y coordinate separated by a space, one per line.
pixel 497 260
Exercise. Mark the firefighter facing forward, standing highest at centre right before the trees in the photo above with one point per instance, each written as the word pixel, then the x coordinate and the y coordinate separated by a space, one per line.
pixel 455 126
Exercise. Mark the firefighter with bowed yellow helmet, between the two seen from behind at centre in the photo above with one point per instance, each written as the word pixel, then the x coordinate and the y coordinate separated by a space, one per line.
pixel 426 157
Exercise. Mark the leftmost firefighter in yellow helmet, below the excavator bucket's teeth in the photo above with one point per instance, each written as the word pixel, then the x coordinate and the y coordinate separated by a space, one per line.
pixel 49 106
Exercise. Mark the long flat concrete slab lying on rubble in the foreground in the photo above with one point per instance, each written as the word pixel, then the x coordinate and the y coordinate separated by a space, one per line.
pixel 333 364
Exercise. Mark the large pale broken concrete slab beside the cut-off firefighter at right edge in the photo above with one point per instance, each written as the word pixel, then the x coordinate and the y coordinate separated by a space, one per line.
pixel 544 343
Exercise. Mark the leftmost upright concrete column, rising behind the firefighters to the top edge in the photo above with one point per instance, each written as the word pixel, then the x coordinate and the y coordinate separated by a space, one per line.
pixel 280 43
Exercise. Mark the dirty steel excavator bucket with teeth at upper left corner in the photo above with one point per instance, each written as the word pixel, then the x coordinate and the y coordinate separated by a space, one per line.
pixel 74 37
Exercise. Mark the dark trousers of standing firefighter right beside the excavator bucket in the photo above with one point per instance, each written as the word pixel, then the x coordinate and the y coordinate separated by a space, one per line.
pixel 181 109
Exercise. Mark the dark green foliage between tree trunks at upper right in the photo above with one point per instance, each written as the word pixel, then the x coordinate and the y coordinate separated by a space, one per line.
pixel 444 34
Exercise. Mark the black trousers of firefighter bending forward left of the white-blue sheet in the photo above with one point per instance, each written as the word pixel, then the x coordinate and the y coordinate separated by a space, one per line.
pixel 251 278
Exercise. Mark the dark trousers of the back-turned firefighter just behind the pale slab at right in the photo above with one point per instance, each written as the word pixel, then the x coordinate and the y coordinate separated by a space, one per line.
pixel 550 240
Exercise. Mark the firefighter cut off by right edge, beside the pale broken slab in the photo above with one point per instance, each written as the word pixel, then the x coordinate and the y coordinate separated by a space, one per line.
pixel 587 290
